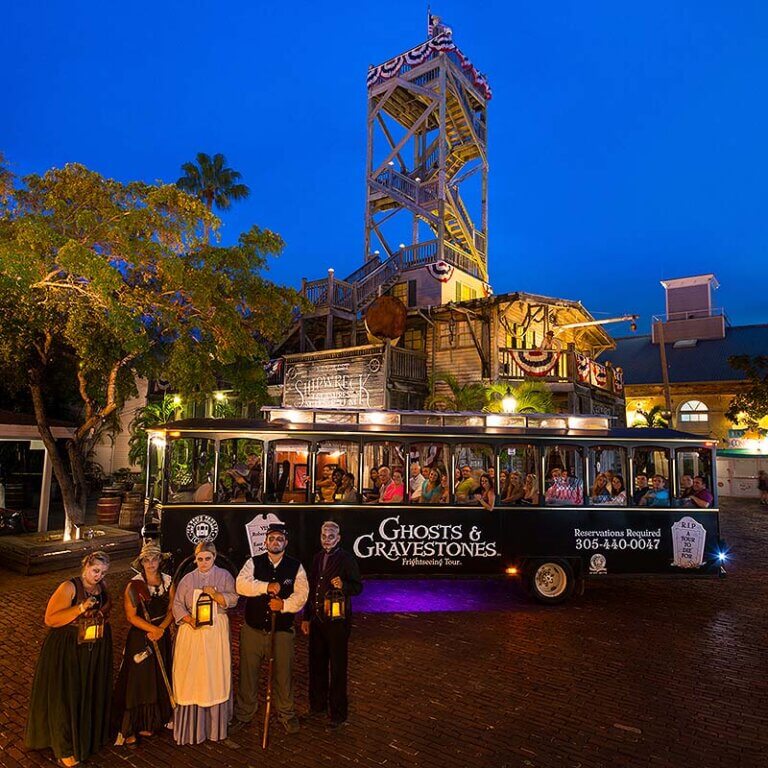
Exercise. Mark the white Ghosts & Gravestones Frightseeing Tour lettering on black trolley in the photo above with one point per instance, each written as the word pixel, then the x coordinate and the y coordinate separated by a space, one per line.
pixel 422 544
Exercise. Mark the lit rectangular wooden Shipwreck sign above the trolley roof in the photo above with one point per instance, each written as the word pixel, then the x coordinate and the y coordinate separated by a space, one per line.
pixel 352 378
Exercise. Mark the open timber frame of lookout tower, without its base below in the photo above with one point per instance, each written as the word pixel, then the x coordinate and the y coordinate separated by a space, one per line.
pixel 426 141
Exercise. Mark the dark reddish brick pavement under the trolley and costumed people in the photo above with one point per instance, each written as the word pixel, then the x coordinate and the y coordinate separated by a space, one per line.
pixel 637 672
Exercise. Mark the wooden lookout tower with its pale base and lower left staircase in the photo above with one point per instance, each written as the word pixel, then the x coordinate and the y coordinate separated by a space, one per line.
pixel 426 212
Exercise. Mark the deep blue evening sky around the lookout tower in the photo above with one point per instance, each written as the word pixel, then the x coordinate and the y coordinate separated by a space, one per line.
pixel 628 141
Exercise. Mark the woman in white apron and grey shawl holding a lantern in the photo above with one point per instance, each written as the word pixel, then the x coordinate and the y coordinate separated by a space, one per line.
pixel 202 663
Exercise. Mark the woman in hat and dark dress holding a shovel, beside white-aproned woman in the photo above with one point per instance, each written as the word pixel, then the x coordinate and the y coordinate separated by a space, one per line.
pixel 141 703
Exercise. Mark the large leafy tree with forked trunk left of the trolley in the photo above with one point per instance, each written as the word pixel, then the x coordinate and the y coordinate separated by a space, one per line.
pixel 107 281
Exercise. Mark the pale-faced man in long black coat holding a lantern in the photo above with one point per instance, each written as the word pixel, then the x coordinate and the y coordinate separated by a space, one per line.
pixel 332 569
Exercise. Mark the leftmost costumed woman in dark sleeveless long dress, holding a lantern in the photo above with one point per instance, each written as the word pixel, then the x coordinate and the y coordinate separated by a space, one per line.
pixel 72 689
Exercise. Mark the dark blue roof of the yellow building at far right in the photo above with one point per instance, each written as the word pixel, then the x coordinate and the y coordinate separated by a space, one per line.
pixel 706 360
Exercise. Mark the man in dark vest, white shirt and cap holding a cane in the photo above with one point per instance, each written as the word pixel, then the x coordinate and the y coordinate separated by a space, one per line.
pixel 271 582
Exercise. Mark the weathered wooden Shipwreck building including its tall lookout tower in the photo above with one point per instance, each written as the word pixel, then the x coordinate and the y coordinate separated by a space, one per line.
pixel 427 118
